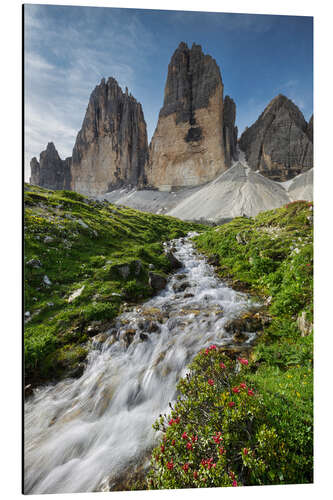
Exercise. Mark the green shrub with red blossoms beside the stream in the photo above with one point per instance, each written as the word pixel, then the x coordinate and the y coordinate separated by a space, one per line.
pixel 217 433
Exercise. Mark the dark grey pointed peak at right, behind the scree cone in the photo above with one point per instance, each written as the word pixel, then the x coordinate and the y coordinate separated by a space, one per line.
pixel 278 143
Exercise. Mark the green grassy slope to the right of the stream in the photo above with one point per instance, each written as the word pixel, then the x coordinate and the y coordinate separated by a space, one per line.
pixel 271 255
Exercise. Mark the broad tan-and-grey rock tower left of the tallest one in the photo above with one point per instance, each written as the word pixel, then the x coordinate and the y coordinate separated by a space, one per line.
pixel 111 148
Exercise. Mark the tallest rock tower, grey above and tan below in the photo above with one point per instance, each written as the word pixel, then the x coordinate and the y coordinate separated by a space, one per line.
pixel 187 148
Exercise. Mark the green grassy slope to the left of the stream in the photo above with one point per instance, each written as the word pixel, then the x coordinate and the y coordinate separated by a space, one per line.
pixel 73 242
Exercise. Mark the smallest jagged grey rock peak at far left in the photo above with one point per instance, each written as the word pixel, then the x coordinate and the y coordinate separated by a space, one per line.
pixel 51 171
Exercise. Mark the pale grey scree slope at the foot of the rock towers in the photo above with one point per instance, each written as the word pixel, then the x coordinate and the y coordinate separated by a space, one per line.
pixel 238 191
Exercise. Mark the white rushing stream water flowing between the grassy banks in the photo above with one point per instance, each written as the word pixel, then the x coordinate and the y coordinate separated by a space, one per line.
pixel 80 435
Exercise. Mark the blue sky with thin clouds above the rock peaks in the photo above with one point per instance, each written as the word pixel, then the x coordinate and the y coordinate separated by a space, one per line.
pixel 69 49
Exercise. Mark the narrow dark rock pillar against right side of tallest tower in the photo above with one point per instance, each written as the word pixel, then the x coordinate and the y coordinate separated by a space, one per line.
pixel 230 131
